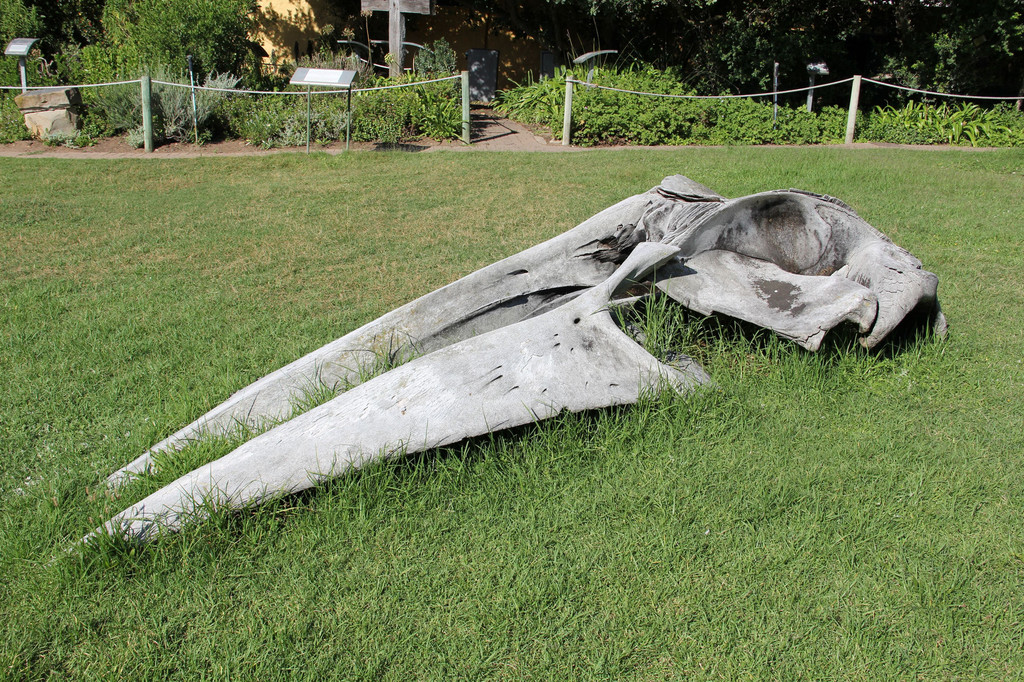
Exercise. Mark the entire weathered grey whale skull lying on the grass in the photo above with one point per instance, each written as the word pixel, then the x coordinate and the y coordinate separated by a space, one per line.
pixel 535 334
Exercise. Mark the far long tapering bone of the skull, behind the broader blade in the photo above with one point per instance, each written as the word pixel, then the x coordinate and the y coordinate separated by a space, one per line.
pixel 500 294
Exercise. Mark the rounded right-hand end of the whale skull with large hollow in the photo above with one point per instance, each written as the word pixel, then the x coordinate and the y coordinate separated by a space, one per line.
pixel 818 238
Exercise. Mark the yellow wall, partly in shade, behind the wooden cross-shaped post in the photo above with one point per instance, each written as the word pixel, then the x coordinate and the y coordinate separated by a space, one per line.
pixel 285 23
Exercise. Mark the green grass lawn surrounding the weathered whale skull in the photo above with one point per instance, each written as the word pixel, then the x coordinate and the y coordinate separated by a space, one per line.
pixel 839 516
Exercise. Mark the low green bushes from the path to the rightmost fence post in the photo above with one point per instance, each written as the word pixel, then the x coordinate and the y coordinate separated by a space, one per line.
pixel 607 117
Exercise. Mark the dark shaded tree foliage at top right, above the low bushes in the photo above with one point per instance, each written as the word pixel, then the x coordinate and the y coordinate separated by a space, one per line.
pixel 974 48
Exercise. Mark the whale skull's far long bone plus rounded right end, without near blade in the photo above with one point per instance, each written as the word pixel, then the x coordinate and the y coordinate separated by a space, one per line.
pixel 792 262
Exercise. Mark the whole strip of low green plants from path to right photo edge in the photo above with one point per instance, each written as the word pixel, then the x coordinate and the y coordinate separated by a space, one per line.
pixel 609 117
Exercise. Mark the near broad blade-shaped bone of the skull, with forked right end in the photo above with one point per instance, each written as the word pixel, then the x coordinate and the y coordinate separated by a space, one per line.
pixel 574 358
